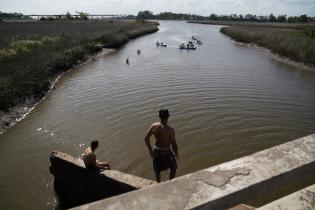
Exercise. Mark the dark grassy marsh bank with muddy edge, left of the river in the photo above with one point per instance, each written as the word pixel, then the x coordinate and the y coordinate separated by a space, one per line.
pixel 32 54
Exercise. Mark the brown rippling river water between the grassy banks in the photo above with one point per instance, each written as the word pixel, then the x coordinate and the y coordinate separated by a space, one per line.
pixel 226 100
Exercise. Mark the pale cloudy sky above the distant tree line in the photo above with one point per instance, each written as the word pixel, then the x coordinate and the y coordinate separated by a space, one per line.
pixel 200 7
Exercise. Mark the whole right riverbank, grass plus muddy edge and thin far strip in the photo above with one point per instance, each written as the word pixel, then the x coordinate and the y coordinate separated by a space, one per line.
pixel 293 41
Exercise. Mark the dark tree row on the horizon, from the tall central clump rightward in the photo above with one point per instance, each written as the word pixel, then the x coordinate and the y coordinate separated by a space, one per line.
pixel 232 17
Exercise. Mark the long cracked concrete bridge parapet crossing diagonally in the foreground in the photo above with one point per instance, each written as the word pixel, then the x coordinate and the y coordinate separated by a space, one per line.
pixel 224 185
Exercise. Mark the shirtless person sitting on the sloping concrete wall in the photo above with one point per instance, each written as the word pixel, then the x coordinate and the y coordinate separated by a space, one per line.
pixel 90 160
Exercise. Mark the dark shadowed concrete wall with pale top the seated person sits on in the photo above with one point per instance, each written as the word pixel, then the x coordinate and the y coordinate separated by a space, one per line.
pixel 75 185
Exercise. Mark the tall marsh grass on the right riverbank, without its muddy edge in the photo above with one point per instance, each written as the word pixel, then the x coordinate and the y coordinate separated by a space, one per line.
pixel 297 45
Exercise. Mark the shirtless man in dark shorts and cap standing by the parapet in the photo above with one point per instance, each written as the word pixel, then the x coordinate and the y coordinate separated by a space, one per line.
pixel 163 157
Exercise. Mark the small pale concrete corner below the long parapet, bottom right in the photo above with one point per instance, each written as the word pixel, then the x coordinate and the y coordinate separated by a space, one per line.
pixel 302 199
